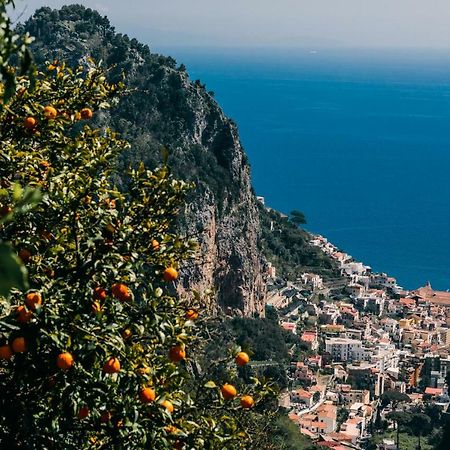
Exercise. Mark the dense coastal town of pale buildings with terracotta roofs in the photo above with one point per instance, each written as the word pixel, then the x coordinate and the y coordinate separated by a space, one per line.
pixel 371 349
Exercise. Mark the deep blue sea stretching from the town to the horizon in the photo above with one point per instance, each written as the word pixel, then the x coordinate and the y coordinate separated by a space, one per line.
pixel 357 140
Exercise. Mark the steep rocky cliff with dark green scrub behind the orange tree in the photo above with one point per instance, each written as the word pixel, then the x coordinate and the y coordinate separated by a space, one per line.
pixel 167 108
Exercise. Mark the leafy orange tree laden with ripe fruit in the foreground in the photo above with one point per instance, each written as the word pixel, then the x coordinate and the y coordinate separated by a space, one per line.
pixel 99 352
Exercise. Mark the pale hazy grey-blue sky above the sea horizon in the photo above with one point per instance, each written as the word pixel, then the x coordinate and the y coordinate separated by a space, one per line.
pixel 275 23
